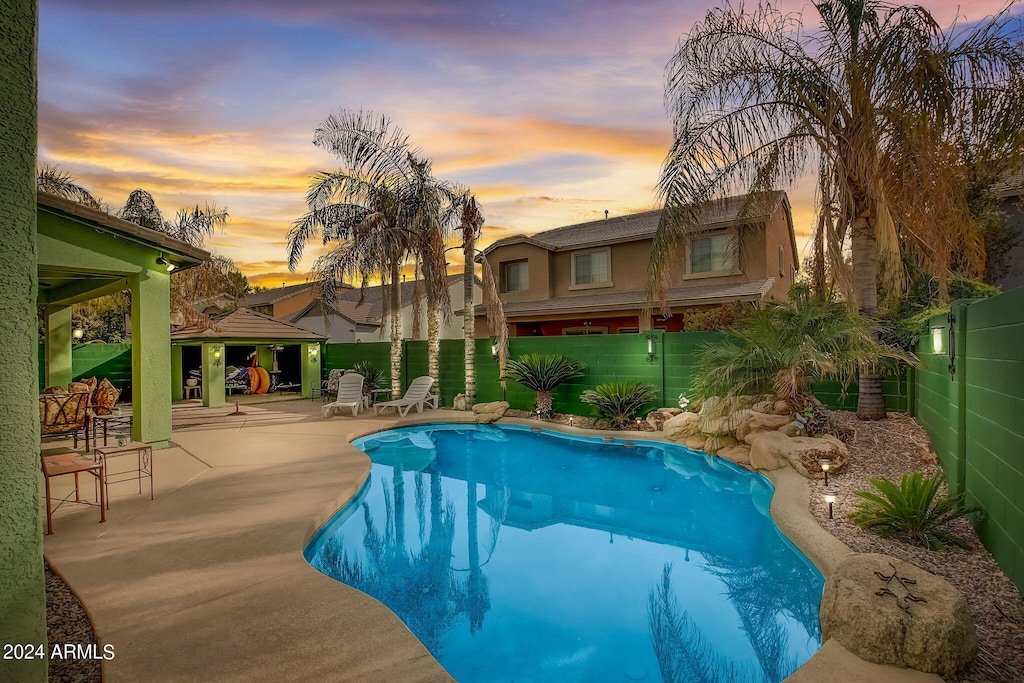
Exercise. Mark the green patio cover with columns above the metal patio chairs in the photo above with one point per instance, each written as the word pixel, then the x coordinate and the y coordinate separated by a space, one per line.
pixel 86 253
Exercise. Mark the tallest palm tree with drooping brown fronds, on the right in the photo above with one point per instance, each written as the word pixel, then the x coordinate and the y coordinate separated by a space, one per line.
pixel 879 98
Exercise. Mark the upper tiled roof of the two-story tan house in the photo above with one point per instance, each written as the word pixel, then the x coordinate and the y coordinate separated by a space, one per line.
pixel 644 226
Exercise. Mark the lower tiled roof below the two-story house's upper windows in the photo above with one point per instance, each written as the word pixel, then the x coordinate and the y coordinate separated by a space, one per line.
pixel 695 295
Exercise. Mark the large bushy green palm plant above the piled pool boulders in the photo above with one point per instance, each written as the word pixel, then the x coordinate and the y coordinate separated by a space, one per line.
pixel 783 349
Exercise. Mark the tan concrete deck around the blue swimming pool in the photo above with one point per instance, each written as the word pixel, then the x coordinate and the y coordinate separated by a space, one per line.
pixel 208 582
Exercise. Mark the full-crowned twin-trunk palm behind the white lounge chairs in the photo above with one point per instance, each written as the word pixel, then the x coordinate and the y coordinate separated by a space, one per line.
pixel 385 208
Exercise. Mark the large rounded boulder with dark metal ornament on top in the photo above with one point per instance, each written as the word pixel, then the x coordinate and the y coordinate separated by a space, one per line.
pixel 881 620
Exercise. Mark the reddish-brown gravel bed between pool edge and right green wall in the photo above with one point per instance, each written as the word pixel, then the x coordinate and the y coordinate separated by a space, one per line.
pixel 889 449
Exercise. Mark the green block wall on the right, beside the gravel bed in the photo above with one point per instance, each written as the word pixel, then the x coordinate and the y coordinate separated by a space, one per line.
pixel 976 419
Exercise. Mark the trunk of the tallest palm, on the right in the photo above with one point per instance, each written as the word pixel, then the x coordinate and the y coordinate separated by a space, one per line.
pixel 871 404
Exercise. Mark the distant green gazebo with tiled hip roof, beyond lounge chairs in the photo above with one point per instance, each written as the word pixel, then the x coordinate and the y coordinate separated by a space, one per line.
pixel 244 337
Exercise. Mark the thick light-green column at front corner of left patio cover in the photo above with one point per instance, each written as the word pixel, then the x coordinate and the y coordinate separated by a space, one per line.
pixel 151 357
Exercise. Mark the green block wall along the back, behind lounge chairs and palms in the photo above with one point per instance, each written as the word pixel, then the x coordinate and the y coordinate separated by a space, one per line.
pixel 609 359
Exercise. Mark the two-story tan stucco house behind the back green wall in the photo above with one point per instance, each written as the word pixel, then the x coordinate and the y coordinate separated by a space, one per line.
pixel 591 278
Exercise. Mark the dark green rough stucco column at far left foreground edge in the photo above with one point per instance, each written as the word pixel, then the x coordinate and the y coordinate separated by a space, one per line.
pixel 23 599
